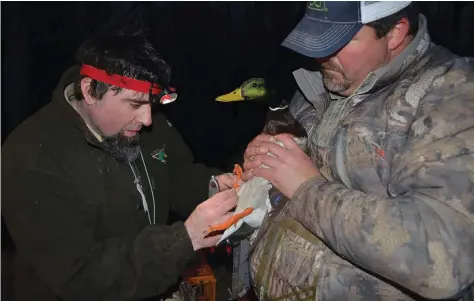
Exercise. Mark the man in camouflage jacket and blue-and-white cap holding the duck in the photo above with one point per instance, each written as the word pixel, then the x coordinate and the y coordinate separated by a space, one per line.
pixel 390 187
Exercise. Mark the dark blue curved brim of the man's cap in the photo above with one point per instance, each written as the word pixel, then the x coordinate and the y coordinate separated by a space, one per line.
pixel 318 39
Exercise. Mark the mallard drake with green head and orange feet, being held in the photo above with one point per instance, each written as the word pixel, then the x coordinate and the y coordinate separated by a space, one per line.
pixel 256 195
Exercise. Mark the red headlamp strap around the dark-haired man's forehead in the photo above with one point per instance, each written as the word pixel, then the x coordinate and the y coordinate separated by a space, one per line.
pixel 120 81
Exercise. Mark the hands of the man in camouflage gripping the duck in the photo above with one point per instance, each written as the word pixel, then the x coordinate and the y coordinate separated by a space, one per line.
pixel 287 170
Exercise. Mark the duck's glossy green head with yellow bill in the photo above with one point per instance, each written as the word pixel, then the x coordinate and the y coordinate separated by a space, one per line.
pixel 252 89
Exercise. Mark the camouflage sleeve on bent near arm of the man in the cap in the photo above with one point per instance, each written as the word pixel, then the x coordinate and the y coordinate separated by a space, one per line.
pixel 422 236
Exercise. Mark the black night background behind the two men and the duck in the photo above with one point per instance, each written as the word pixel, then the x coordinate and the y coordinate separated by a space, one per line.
pixel 211 46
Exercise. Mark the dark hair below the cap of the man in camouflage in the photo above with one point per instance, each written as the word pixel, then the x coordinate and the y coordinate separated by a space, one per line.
pixel 384 25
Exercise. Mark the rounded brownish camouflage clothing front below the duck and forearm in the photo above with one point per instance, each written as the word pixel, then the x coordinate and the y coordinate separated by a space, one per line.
pixel 286 262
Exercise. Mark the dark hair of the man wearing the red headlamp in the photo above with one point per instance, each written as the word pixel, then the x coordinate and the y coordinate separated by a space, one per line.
pixel 124 53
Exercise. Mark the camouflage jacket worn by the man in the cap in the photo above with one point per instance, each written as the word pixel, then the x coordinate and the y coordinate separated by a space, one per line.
pixel 397 209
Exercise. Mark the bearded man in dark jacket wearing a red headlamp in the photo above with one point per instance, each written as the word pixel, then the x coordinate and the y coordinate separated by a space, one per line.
pixel 87 191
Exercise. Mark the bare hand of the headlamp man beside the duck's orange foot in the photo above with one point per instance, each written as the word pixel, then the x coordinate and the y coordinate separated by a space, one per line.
pixel 210 212
